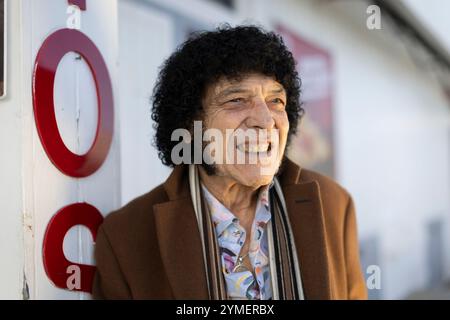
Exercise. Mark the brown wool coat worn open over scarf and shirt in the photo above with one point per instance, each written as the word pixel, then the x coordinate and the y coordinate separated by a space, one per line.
pixel 151 249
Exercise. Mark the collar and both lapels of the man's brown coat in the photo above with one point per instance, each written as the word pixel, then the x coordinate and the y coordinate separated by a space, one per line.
pixel 180 243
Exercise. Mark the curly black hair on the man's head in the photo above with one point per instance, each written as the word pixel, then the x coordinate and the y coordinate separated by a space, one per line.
pixel 208 56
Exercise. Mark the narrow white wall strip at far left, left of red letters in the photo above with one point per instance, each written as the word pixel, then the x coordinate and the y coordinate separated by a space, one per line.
pixel 11 234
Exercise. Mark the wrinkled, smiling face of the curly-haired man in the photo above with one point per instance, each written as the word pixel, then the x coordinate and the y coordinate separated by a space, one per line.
pixel 254 106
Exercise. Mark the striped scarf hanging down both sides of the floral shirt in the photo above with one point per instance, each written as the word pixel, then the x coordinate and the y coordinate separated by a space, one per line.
pixel 283 260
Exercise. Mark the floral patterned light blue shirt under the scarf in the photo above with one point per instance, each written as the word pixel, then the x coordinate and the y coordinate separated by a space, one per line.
pixel 231 237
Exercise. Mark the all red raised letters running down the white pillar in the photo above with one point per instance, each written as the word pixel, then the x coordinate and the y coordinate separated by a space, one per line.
pixel 60 270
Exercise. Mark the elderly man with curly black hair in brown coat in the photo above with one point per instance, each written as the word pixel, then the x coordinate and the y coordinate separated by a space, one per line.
pixel 241 221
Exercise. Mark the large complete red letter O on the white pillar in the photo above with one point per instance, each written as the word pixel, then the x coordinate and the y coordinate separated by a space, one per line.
pixel 48 58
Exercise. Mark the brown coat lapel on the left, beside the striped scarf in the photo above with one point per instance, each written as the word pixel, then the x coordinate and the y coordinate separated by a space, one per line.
pixel 179 239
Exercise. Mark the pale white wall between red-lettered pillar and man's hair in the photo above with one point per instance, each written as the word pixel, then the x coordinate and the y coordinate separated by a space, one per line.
pixel 146 38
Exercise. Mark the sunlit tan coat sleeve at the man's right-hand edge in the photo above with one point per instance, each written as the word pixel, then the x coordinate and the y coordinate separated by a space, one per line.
pixel 356 287
